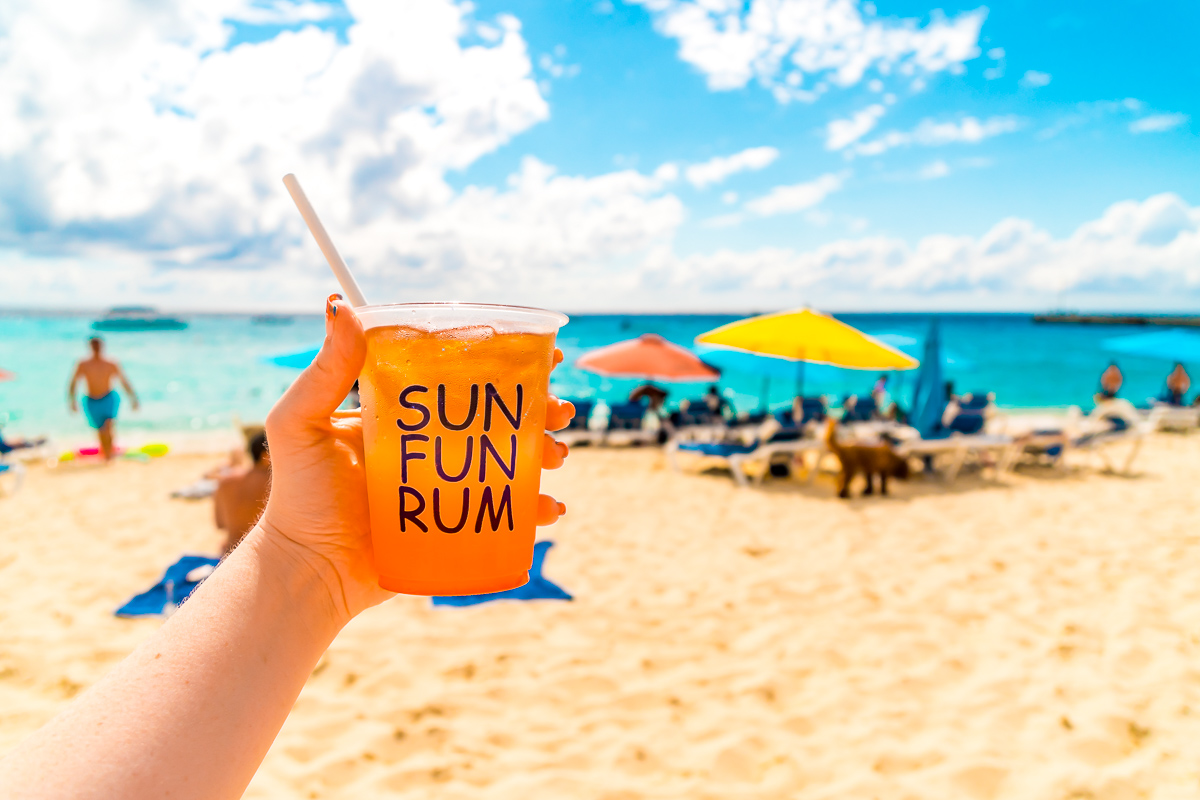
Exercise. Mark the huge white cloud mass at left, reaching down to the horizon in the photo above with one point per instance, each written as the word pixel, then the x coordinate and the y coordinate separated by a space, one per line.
pixel 151 169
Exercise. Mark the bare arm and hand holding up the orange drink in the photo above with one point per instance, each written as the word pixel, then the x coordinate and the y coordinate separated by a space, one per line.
pixel 193 712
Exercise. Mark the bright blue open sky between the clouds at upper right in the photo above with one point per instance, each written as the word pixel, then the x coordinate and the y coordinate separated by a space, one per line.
pixel 635 103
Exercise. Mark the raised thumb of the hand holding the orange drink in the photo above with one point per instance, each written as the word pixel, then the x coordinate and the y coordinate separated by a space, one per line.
pixel 326 383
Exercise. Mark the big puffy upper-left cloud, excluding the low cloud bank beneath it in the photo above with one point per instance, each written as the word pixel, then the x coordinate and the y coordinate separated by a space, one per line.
pixel 159 137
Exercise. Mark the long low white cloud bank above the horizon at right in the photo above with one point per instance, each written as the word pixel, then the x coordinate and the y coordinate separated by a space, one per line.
pixel 1132 246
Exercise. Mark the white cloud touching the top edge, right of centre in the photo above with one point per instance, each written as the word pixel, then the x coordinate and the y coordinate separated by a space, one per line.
pixel 784 43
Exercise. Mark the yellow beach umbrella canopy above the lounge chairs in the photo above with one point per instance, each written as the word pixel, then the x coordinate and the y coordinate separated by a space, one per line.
pixel 806 335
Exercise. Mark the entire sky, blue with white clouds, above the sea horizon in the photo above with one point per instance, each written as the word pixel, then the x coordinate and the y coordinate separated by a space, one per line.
pixel 605 154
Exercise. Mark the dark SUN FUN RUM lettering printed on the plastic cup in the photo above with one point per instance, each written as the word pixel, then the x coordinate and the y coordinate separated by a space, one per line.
pixel 476 461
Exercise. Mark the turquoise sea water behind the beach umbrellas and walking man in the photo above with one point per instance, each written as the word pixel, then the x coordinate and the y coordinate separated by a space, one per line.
pixel 199 378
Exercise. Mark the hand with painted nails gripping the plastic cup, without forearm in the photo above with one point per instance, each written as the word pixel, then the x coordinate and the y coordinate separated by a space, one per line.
pixel 319 506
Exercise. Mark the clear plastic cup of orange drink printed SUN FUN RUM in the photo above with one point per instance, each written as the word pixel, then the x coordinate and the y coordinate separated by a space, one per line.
pixel 454 416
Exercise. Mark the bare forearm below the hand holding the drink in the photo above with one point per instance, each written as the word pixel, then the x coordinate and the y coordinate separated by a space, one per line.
pixel 194 711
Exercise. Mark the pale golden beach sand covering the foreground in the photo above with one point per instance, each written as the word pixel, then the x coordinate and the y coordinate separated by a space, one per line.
pixel 1033 639
